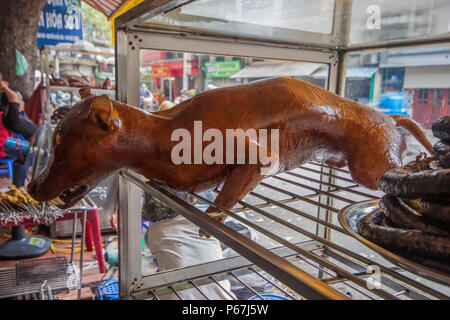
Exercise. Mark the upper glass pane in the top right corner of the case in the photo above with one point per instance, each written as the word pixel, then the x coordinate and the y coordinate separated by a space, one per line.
pixel 380 20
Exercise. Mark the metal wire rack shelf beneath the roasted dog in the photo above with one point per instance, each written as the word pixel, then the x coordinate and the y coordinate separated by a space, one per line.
pixel 295 217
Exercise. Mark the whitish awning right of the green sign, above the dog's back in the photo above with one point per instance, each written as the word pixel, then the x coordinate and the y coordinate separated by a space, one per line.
pixel 295 69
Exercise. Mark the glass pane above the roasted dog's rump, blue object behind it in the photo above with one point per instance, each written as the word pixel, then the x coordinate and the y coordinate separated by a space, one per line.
pixel 414 82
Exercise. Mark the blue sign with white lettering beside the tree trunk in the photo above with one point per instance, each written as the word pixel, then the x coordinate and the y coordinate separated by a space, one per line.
pixel 60 21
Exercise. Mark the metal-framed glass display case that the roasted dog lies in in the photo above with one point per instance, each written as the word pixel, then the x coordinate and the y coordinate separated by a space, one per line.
pixel 393 56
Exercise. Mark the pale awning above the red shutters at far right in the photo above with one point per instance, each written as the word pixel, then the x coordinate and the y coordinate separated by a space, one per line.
pixel 427 77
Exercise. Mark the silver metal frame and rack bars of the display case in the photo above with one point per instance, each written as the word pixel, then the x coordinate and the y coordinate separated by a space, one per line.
pixel 324 264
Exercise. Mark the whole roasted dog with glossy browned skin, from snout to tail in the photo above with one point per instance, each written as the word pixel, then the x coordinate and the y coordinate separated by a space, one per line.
pixel 97 137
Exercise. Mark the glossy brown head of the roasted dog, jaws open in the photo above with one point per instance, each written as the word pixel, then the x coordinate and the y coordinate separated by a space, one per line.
pixel 90 130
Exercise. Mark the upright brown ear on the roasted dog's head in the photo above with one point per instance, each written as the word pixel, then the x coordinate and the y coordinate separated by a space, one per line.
pixel 102 112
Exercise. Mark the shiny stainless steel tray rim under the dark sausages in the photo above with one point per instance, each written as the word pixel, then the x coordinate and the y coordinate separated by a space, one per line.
pixel 349 217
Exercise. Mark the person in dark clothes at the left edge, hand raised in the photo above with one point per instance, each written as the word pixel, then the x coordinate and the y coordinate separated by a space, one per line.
pixel 14 117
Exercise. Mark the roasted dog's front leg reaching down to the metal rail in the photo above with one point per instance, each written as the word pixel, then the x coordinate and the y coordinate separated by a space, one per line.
pixel 240 181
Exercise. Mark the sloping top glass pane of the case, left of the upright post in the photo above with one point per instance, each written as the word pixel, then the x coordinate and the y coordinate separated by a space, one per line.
pixel 269 19
